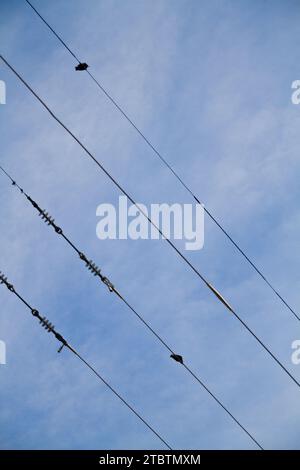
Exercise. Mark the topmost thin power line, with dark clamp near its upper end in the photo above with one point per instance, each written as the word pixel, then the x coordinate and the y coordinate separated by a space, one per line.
pixel 165 162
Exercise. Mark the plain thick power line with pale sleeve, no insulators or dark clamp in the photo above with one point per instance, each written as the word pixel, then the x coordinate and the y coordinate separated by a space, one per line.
pixel 211 288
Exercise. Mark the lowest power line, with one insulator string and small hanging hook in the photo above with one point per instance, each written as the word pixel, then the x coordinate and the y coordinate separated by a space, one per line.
pixel 51 329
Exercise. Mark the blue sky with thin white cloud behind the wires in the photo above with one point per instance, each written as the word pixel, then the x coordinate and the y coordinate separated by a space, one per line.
pixel 210 84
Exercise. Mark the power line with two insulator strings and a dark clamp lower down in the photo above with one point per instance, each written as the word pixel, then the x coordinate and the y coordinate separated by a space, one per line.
pixel 97 272
